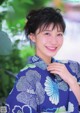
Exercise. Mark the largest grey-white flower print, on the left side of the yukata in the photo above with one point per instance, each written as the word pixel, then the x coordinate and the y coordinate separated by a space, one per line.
pixel 31 90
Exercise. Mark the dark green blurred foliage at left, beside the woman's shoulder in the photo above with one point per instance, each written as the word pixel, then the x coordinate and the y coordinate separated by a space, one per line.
pixel 10 65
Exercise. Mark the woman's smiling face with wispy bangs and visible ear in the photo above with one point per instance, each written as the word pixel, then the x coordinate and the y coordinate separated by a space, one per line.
pixel 47 41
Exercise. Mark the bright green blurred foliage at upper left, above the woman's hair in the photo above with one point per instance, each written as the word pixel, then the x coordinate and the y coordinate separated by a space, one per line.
pixel 16 11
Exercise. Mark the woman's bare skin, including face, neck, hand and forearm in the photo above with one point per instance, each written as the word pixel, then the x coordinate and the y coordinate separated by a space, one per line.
pixel 48 42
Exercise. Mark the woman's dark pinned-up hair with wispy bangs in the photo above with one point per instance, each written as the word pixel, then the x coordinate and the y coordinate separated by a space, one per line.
pixel 43 16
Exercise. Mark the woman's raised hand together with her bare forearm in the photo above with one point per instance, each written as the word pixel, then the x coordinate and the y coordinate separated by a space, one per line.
pixel 62 71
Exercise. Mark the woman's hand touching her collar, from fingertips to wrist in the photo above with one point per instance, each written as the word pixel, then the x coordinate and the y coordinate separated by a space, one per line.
pixel 61 70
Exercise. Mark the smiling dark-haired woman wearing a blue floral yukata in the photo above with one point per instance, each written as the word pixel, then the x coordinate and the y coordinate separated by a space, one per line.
pixel 46 84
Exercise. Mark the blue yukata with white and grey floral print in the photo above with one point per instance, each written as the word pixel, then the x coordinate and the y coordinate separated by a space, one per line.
pixel 36 90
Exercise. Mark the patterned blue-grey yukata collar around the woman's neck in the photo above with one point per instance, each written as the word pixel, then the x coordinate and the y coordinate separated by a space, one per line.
pixel 38 62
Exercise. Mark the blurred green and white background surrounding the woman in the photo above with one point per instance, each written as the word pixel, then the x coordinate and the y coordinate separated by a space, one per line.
pixel 15 49
